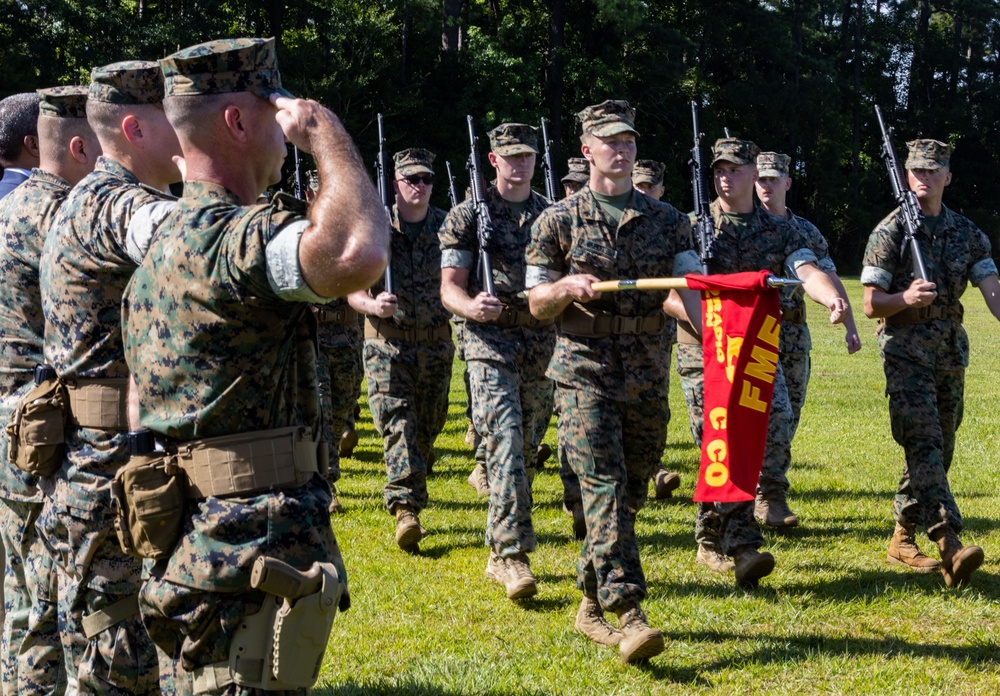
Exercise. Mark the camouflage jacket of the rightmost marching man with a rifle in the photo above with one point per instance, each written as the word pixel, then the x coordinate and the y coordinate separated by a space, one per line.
pixel 958 253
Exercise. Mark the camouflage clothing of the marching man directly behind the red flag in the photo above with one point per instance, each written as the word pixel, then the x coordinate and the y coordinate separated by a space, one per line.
pixel 764 242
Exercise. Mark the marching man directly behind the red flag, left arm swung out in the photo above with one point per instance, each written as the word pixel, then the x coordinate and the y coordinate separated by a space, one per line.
pixel 748 238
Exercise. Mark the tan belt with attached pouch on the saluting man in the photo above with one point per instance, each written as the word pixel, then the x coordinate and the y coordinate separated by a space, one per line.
pixel 149 492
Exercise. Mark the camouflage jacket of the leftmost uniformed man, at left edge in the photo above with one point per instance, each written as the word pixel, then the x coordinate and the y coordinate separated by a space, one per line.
pixel 25 216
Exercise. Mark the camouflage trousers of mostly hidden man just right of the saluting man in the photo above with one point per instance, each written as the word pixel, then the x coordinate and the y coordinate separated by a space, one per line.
pixel 338 371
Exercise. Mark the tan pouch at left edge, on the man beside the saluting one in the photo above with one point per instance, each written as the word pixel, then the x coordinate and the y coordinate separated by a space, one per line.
pixel 36 432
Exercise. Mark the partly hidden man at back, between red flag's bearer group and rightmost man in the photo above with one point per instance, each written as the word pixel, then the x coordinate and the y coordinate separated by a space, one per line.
pixel 795 342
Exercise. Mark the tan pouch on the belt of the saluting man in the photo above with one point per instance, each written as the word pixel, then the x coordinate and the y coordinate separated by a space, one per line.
pixel 149 501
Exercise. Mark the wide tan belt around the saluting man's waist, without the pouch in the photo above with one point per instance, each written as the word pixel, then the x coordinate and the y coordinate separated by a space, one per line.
pixel 248 462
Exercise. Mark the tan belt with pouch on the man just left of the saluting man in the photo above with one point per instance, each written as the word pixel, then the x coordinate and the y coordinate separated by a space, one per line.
pixel 36 431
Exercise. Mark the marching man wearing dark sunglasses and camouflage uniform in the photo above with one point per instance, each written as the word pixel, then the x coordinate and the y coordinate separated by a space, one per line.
pixel 408 348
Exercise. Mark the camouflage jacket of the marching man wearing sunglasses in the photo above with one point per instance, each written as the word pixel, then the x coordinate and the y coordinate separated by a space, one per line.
pixel 416 268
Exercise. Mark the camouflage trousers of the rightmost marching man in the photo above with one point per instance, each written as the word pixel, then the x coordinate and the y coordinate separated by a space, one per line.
pixel 925 409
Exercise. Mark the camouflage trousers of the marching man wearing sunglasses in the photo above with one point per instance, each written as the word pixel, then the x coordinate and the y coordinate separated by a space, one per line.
pixel 408 385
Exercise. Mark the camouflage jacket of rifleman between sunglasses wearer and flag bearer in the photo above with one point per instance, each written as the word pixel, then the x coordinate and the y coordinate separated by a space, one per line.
pixel 460 249
